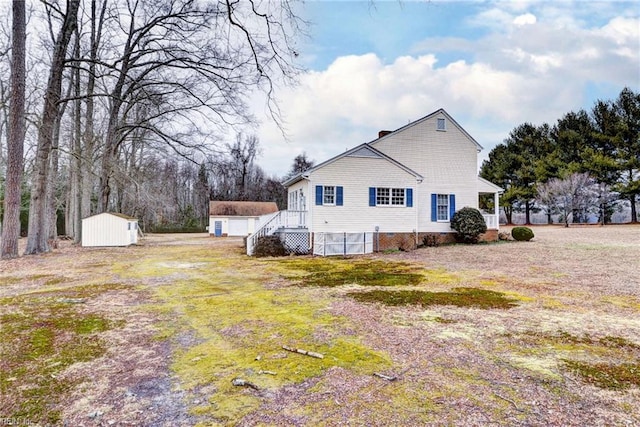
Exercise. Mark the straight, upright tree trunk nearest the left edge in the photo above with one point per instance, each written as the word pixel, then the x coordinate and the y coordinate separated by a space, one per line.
pixel 15 143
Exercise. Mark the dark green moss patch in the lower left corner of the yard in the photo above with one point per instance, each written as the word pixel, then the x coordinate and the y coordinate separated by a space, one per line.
pixel 41 337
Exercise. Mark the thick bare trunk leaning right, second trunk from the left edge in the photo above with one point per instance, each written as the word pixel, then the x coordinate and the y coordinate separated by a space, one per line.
pixel 38 227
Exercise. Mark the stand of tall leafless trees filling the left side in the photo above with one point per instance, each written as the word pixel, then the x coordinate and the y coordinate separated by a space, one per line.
pixel 124 105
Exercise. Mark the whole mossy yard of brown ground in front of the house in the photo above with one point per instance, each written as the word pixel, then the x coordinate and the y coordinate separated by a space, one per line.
pixel 185 330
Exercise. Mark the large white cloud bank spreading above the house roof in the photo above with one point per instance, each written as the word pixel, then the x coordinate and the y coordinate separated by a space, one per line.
pixel 534 69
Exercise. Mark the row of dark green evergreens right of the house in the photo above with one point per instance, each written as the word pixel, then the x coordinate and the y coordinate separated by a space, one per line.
pixel 586 165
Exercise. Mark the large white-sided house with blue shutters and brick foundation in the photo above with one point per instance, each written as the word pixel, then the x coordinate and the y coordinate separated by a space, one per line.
pixel 396 191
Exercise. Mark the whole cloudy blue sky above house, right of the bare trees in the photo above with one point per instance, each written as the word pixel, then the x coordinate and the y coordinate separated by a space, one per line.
pixel 492 65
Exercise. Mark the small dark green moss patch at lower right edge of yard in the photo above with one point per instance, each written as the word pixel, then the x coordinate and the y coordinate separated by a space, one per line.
pixel 607 375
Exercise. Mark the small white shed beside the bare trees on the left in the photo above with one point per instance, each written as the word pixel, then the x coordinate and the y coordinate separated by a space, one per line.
pixel 109 229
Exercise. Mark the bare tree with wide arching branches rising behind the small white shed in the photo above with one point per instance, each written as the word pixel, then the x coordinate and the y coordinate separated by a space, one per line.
pixel 188 62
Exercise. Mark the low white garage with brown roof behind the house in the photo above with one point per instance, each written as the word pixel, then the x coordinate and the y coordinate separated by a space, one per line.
pixel 231 218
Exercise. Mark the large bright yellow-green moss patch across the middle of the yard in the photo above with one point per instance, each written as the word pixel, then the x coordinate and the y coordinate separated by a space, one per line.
pixel 231 326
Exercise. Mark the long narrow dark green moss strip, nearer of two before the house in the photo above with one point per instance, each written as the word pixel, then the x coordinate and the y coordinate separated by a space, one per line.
pixel 459 297
